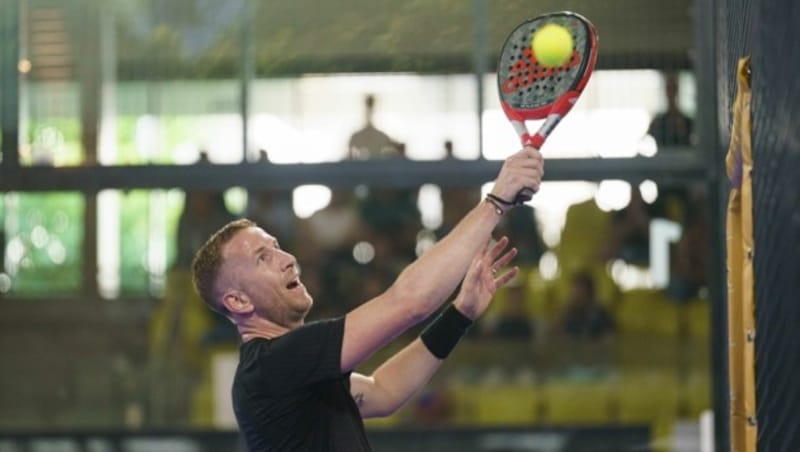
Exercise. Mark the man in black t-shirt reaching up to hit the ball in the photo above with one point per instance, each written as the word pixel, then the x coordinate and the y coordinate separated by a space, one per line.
pixel 294 387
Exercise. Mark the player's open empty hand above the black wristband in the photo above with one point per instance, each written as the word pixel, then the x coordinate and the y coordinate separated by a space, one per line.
pixel 484 277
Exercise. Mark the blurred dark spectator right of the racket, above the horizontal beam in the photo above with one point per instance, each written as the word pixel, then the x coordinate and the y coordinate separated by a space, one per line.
pixel 672 127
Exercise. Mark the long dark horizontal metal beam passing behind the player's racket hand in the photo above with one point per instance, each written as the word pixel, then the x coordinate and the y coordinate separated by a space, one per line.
pixel 673 167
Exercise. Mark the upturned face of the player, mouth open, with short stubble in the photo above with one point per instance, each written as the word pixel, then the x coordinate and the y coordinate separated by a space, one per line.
pixel 268 276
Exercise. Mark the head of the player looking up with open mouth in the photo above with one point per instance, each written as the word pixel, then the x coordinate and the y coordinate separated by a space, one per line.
pixel 241 272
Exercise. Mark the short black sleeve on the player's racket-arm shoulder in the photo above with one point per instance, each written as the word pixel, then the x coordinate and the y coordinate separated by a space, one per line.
pixel 304 356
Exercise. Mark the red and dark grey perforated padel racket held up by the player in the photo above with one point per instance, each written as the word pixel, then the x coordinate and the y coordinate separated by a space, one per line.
pixel 529 90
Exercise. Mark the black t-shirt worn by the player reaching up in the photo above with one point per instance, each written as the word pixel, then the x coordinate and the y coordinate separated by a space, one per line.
pixel 289 393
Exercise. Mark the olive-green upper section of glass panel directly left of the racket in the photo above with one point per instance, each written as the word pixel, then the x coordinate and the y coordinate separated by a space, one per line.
pixel 363 36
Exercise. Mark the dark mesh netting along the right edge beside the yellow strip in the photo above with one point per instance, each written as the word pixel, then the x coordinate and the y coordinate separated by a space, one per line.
pixel 768 31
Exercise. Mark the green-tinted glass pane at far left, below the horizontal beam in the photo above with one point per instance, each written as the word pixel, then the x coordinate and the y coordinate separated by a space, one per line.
pixel 44 240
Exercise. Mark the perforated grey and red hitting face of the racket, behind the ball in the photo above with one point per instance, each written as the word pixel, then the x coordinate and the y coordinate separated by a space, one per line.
pixel 526 85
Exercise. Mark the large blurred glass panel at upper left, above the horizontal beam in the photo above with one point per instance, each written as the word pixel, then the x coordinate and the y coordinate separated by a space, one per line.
pixel 129 83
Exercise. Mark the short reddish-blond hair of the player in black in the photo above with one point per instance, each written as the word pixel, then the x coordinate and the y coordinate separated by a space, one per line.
pixel 208 261
